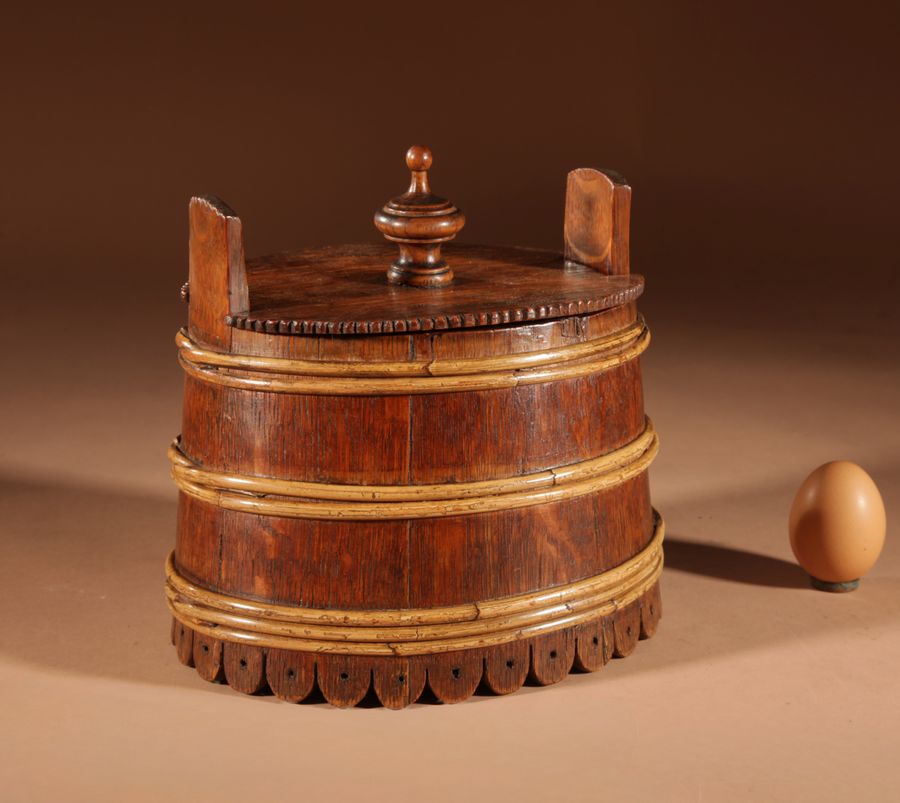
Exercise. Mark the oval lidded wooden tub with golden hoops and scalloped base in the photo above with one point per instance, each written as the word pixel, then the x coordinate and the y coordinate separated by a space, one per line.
pixel 385 486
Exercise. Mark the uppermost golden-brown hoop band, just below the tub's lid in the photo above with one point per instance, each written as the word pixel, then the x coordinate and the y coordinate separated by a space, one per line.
pixel 279 375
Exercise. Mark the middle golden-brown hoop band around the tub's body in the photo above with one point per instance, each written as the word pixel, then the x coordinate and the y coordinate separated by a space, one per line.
pixel 313 500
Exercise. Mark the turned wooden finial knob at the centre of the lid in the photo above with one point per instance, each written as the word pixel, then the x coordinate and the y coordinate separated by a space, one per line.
pixel 419 222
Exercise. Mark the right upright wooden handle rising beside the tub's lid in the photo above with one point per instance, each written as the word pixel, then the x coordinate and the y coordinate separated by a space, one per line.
pixel 597 220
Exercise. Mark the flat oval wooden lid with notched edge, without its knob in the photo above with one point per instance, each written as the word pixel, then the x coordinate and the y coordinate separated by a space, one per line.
pixel 341 290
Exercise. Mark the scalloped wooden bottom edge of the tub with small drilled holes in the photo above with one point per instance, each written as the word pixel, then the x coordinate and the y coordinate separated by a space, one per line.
pixel 345 680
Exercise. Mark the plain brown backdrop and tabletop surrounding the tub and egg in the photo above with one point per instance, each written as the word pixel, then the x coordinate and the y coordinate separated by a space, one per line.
pixel 760 140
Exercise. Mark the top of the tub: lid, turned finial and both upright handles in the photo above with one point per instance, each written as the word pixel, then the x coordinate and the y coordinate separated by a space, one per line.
pixel 417 280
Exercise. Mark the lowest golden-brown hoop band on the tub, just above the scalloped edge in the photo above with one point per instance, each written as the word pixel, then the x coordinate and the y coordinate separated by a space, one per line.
pixel 415 631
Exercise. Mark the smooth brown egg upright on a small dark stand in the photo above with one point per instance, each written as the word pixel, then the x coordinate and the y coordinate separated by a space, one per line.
pixel 837 525
